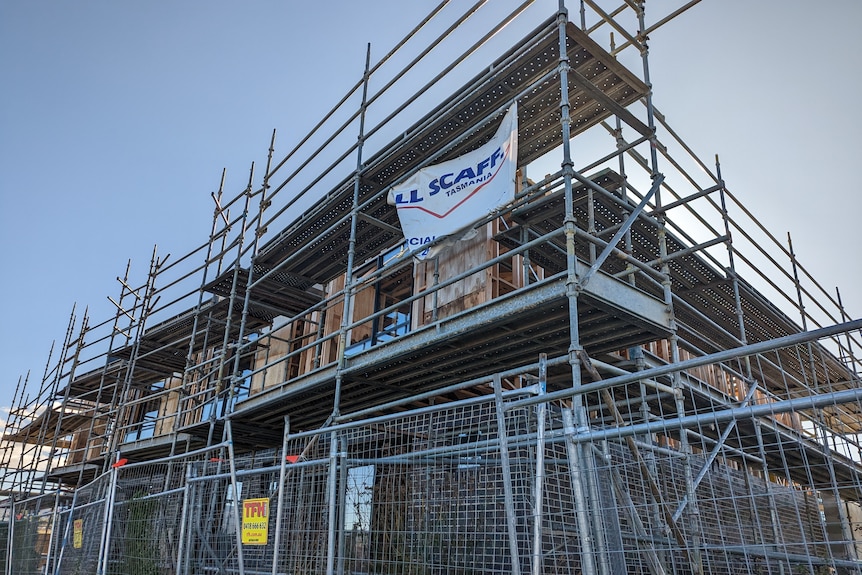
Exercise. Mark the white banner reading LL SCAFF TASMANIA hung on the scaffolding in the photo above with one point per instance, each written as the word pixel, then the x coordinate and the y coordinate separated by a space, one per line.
pixel 448 197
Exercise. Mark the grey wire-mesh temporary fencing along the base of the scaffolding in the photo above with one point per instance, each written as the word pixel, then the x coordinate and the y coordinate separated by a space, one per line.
pixel 518 480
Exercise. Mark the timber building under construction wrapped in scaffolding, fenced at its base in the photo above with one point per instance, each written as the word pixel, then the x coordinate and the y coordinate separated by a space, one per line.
pixel 589 378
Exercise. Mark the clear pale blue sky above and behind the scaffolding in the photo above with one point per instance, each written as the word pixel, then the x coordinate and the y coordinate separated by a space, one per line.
pixel 116 119
